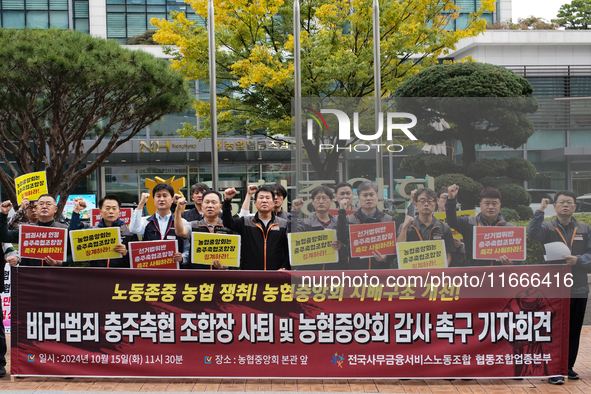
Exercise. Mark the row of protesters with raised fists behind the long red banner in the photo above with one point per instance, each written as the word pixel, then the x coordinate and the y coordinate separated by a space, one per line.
pixel 264 240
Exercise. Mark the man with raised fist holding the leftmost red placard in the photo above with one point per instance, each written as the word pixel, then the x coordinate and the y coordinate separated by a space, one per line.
pixel 46 209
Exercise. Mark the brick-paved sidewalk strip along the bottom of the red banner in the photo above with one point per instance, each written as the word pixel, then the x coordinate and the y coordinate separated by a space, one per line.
pixel 582 386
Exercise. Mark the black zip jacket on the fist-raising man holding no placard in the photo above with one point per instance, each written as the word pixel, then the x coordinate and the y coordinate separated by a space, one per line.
pixel 263 248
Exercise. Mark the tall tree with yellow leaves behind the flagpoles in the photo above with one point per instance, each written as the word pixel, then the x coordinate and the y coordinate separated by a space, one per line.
pixel 255 56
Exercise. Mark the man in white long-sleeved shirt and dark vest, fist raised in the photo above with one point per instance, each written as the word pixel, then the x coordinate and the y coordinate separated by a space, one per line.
pixel 160 225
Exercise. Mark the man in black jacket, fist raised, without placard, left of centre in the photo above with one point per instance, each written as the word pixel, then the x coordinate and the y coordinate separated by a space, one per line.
pixel 263 236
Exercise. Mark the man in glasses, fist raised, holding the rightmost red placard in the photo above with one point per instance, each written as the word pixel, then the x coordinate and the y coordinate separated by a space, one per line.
pixel 490 208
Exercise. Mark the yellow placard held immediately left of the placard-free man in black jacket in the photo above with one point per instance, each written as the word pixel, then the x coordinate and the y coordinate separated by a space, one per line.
pixel 209 247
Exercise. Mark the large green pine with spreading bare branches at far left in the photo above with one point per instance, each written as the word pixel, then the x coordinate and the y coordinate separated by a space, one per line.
pixel 58 88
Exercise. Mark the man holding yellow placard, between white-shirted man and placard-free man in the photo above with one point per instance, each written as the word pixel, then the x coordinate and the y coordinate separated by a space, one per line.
pixel 211 223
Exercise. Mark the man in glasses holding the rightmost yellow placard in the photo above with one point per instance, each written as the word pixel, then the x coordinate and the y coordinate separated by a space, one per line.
pixel 426 227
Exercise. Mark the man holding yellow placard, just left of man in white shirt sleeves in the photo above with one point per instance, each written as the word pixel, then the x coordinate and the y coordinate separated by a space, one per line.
pixel 109 206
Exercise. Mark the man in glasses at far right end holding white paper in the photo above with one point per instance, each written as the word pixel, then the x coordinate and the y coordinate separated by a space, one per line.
pixel 575 235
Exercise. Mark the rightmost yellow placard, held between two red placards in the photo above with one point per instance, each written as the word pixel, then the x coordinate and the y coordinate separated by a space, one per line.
pixel 421 254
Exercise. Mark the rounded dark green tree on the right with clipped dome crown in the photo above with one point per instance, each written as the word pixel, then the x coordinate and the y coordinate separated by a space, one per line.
pixel 499 119
